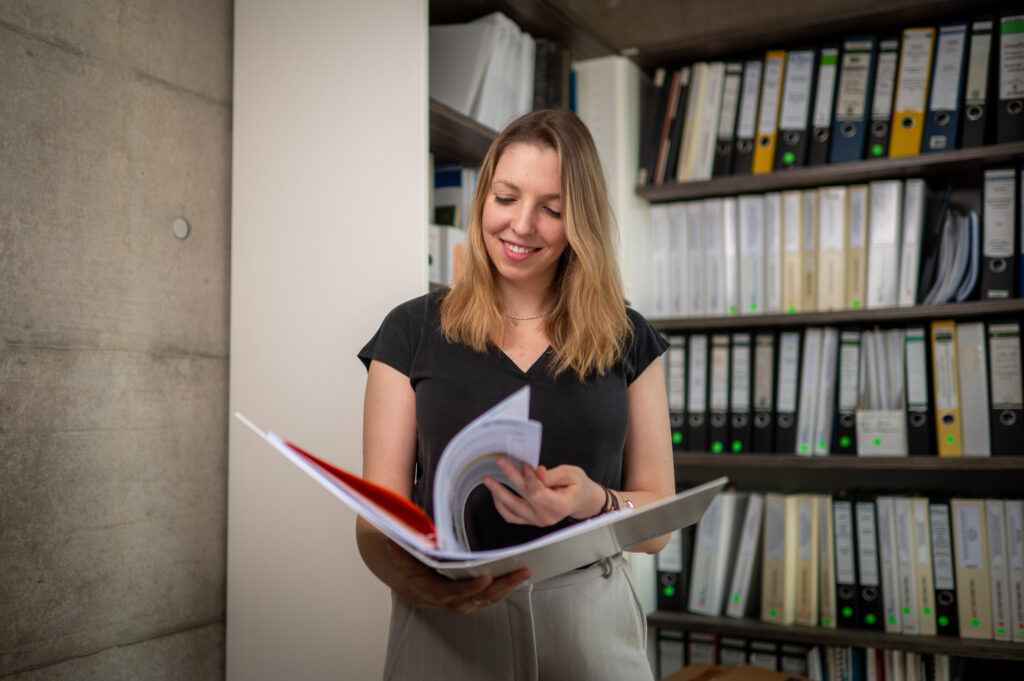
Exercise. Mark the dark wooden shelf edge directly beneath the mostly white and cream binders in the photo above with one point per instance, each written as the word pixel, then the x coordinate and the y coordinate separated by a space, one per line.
pixel 866 317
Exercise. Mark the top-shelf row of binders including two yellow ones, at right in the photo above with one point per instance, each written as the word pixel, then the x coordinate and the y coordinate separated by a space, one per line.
pixel 927 90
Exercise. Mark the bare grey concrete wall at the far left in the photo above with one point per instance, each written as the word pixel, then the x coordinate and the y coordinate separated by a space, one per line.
pixel 115 120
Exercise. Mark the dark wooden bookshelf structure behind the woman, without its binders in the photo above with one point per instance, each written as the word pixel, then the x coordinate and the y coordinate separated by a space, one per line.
pixel 661 33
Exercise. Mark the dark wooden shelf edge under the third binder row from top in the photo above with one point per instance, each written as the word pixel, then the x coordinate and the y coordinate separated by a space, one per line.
pixel 835 462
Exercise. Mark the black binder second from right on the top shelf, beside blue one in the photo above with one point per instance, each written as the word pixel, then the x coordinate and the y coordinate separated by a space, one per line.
pixel 982 80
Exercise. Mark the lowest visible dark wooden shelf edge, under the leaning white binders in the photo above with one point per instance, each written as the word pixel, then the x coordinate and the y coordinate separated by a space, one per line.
pixel 750 628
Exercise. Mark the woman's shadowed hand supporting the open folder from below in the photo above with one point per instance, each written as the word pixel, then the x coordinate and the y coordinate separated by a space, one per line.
pixel 421 586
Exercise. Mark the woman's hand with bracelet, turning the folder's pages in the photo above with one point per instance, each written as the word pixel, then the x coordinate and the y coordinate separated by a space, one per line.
pixel 546 496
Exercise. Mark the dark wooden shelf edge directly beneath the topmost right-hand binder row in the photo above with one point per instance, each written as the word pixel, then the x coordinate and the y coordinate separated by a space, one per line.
pixel 957 161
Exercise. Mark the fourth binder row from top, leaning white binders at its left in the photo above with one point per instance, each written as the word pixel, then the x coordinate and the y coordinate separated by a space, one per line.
pixel 901 565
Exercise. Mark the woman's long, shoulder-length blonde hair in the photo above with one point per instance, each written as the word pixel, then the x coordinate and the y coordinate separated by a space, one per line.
pixel 587 326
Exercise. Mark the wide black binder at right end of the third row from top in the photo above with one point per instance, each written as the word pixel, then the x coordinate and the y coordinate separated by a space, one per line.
pixel 1007 403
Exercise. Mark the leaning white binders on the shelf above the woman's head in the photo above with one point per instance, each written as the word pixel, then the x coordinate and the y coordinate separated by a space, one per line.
pixel 493 72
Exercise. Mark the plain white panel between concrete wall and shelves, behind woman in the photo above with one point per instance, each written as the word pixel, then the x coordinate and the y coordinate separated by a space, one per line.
pixel 329 201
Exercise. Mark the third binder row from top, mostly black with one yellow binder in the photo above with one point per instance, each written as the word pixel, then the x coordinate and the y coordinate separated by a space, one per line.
pixel 951 389
